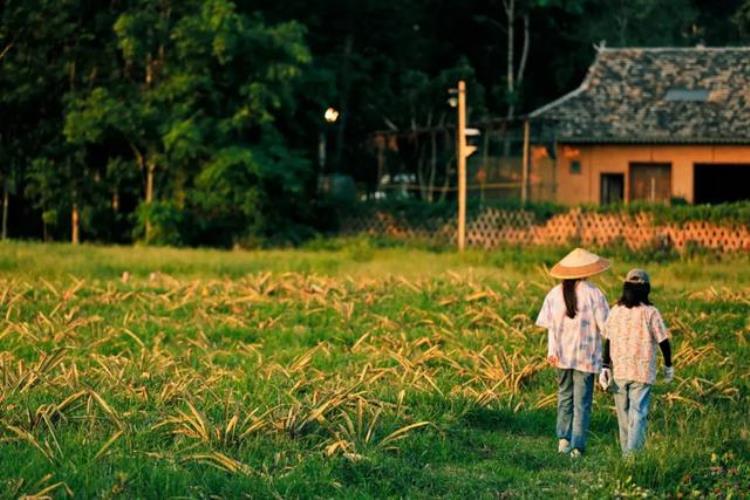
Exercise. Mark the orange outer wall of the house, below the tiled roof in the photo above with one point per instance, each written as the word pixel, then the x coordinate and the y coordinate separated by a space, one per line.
pixel 573 189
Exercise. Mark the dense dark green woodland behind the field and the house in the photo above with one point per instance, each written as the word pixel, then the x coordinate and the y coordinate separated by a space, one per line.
pixel 199 122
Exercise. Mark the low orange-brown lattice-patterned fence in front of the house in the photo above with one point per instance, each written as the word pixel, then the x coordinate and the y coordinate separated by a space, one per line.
pixel 492 227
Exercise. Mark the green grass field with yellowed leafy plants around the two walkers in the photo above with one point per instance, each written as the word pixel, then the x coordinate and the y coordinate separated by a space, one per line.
pixel 349 371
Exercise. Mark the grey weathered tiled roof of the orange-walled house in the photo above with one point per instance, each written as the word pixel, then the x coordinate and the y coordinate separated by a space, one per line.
pixel 658 95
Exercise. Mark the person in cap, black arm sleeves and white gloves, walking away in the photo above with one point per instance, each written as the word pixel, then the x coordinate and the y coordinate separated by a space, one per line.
pixel 632 332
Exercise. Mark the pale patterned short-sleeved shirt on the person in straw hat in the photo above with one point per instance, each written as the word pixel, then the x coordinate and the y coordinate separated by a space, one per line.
pixel 575 341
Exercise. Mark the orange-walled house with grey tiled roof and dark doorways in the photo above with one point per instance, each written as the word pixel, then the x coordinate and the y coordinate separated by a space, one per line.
pixel 653 124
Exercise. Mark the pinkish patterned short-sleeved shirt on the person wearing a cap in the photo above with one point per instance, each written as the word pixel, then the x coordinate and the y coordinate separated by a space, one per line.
pixel 634 334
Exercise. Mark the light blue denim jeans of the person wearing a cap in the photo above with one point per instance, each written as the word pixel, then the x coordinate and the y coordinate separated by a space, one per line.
pixel 632 400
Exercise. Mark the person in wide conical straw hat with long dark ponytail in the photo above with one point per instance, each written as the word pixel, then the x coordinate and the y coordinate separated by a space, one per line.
pixel 574 313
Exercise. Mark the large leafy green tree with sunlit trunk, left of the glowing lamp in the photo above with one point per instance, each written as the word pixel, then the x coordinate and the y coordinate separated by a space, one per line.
pixel 201 82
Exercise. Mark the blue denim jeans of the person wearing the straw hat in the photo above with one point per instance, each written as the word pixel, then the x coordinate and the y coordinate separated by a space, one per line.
pixel 575 390
